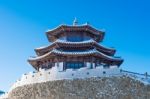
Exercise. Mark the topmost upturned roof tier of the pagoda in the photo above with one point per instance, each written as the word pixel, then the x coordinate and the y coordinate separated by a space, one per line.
pixel 53 34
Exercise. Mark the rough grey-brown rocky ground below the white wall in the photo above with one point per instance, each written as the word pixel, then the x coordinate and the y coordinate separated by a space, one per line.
pixel 92 88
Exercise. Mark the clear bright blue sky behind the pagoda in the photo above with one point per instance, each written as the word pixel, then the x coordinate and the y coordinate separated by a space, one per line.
pixel 23 24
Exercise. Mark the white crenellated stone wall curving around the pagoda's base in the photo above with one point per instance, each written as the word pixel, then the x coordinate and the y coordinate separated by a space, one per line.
pixel 56 74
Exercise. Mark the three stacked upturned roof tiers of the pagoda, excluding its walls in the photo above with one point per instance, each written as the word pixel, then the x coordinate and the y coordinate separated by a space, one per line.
pixel 55 48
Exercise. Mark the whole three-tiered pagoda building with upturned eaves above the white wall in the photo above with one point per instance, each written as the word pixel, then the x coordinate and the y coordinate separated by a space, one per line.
pixel 74 47
